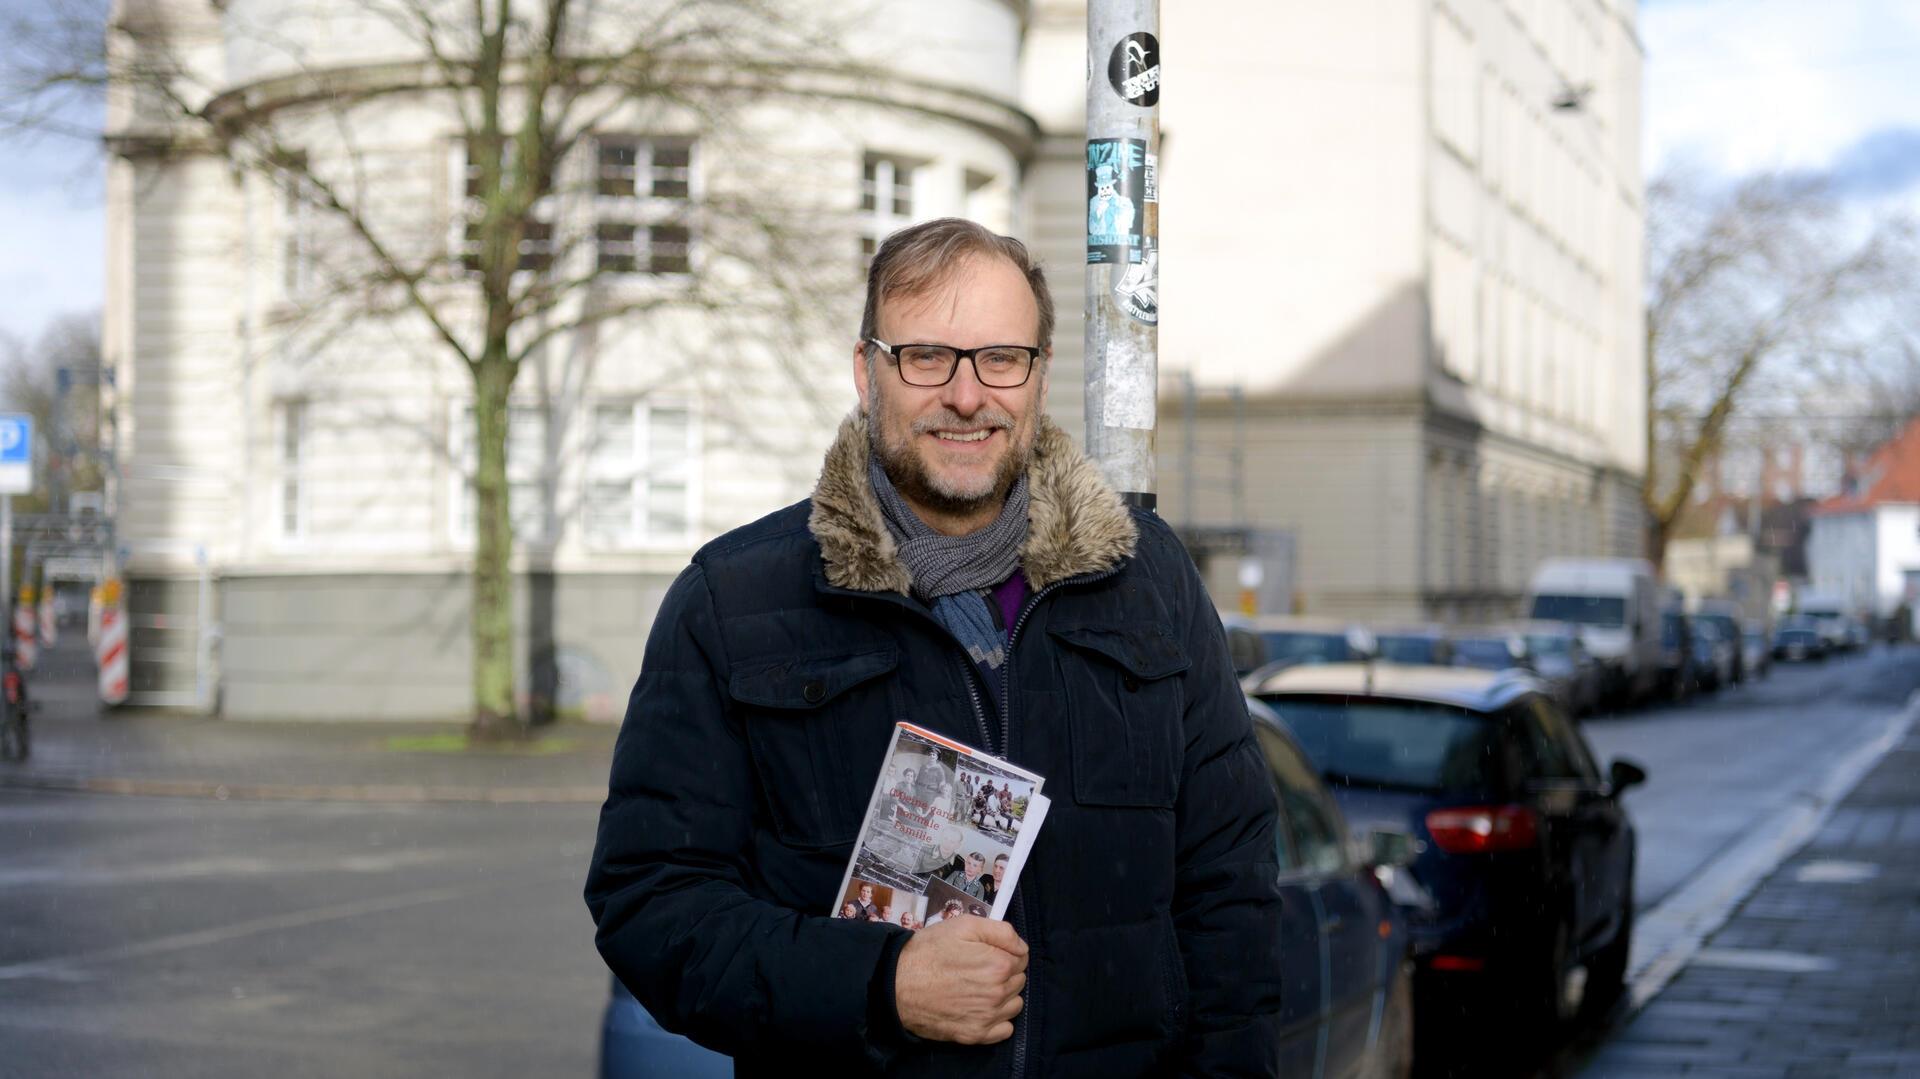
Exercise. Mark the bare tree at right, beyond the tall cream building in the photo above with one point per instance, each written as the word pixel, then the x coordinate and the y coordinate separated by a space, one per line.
pixel 1767 295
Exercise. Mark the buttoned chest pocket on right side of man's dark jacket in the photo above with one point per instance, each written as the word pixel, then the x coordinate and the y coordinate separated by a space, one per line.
pixel 1124 713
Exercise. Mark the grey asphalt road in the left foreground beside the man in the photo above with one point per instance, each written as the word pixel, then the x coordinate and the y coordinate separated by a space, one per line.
pixel 181 938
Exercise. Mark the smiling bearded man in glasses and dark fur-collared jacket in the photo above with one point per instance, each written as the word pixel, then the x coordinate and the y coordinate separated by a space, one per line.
pixel 965 567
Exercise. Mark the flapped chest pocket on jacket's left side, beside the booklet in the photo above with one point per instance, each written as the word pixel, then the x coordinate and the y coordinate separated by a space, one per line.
pixel 800 717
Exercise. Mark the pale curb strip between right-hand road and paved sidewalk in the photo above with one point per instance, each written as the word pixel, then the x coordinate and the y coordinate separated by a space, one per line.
pixel 1673 932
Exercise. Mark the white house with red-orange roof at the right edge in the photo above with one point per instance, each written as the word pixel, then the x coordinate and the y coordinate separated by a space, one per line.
pixel 1865 542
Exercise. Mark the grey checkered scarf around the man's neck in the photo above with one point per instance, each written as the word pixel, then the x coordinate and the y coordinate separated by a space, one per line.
pixel 953 573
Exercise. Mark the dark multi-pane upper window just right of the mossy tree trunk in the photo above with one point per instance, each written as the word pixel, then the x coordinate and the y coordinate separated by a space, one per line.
pixel 644 193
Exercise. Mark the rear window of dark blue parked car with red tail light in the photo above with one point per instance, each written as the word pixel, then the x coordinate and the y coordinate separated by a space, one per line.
pixel 1391 744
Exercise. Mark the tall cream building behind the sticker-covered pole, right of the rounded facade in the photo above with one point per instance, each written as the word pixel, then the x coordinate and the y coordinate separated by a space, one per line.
pixel 1412 235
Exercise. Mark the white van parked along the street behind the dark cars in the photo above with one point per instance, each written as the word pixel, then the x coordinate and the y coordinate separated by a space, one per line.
pixel 1618 608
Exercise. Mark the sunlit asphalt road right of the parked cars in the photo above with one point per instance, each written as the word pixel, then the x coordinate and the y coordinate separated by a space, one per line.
pixel 1723 763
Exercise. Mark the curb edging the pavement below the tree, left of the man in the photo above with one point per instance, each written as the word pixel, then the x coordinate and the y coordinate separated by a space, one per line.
pixel 395 794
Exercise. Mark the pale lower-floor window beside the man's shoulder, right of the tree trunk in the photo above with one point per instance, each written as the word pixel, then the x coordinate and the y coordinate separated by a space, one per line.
pixel 640 468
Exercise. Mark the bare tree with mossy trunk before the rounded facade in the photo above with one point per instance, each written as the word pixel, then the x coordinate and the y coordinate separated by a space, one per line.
pixel 525 91
